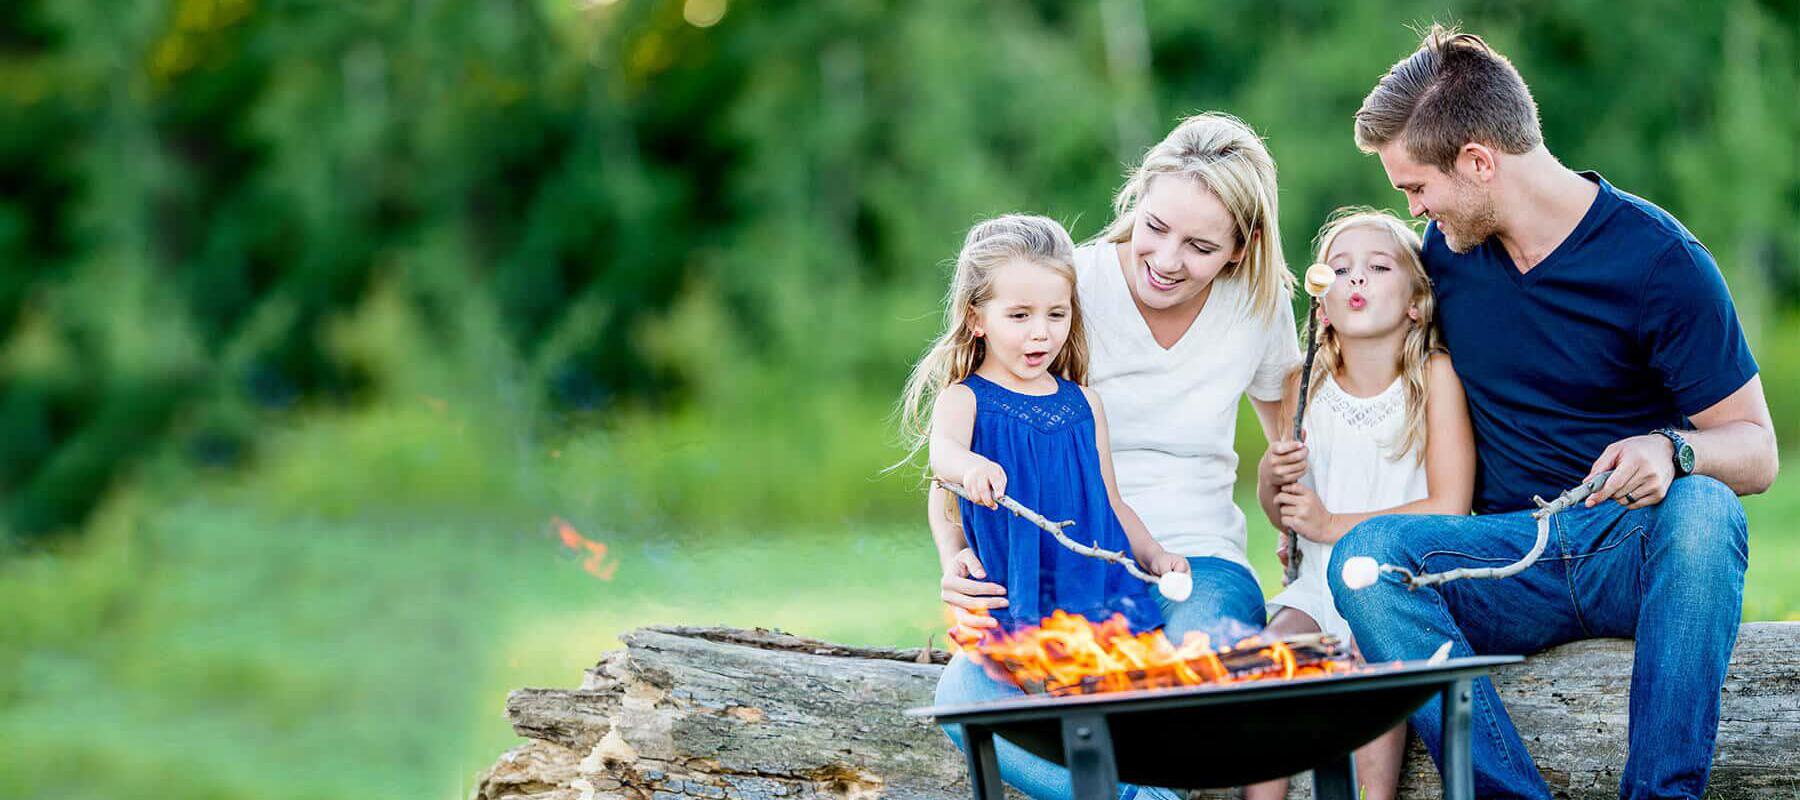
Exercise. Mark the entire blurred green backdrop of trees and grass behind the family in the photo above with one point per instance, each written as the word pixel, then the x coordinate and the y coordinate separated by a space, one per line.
pixel 316 316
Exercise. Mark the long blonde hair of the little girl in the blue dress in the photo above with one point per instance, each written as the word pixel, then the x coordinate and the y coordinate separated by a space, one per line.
pixel 958 352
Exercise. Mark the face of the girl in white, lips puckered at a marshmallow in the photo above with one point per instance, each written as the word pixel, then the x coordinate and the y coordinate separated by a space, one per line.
pixel 1374 291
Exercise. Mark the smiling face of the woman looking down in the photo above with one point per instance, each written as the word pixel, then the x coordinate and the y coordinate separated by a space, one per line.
pixel 1182 241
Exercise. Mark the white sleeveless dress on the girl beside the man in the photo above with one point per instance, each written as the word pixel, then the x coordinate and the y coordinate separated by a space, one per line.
pixel 1354 466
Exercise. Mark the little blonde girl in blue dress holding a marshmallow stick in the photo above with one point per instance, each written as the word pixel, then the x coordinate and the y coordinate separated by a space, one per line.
pixel 1011 417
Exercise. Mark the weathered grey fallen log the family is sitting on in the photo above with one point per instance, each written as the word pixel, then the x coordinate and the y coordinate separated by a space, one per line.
pixel 759 714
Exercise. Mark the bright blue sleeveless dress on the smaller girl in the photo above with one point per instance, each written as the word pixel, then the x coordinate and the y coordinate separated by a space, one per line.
pixel 1047 446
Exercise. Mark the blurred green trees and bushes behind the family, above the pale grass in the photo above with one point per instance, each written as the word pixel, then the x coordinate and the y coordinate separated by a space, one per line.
pixel 683 232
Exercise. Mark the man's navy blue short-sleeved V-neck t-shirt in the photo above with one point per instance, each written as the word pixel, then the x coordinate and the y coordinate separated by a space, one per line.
pixel 1624 329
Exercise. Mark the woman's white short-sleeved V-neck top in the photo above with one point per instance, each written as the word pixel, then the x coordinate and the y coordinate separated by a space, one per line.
pixel 1173 414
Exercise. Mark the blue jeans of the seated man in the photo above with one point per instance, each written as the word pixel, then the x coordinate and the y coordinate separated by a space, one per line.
pixel 1669 576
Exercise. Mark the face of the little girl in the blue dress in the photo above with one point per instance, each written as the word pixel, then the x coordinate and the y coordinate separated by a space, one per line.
pixel 1025 322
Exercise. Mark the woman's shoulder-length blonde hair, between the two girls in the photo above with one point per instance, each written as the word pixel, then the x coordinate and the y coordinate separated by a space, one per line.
pixel 1228 159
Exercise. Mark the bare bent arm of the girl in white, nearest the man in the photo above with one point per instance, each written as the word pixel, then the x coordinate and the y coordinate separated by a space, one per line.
pixel 1450 464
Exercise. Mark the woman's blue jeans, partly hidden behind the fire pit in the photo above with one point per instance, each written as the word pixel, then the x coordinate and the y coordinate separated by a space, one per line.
pixel 1227 605
